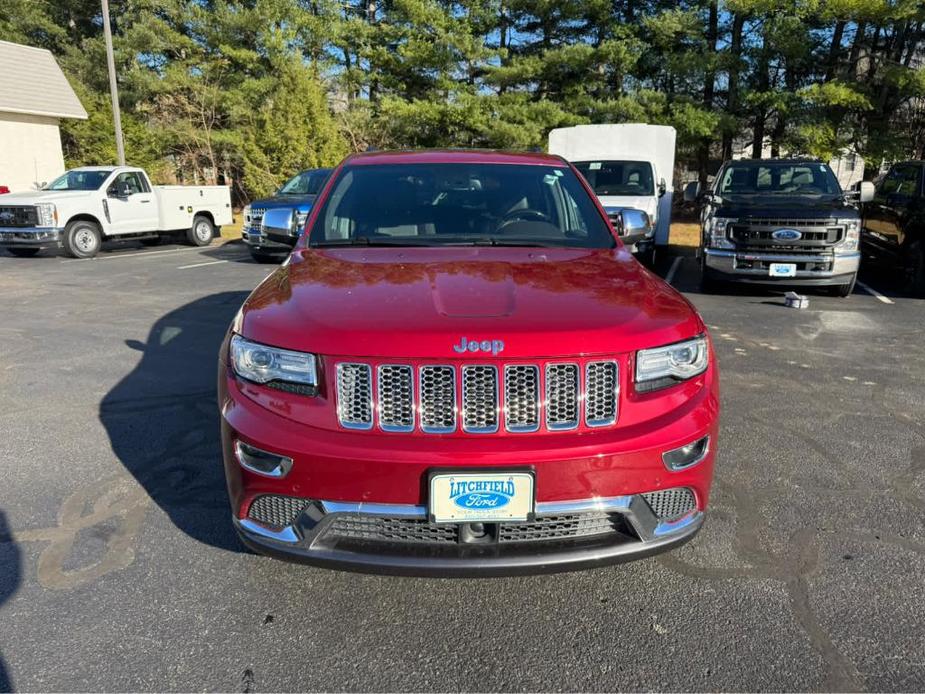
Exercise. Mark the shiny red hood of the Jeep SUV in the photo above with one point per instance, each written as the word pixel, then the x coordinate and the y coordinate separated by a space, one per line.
pixel 419 302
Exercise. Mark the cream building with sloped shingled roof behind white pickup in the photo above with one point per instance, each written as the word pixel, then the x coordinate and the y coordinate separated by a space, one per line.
pixel 34 97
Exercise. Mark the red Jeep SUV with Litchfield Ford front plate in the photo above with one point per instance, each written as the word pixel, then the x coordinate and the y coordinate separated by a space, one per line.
pixel 461 371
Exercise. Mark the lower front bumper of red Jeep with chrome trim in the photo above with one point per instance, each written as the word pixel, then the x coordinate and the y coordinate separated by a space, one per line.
pixel 312 539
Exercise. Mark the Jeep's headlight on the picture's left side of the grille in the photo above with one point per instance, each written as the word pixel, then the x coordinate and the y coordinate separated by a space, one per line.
pixel 284 369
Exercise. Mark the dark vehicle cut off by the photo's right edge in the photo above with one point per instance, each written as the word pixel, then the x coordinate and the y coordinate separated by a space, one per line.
pixel 894 225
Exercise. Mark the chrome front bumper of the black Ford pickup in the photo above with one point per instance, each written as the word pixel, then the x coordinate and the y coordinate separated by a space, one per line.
pixel 813 269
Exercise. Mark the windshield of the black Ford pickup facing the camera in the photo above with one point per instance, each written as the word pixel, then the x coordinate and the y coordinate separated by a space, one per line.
pixel 761 178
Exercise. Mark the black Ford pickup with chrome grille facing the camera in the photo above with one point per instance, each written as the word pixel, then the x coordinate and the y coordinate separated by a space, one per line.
pixel 781 222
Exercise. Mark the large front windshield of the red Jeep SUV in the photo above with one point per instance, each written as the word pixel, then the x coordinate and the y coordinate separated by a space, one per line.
pixel 460 204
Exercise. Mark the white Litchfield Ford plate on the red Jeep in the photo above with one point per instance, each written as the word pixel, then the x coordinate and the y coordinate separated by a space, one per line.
pixel 481 497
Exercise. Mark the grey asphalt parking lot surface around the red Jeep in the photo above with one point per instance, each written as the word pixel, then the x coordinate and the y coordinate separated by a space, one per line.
pixel 119 569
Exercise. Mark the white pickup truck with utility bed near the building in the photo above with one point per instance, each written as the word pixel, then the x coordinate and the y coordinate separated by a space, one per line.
pixel 85 206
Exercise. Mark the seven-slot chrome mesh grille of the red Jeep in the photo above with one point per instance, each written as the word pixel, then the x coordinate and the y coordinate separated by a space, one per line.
pixel 477 398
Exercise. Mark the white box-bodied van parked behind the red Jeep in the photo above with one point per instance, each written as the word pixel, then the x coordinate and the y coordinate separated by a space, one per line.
pixel 629 165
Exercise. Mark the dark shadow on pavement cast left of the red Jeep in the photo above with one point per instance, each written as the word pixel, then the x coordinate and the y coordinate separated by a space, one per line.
pixel 163 423
